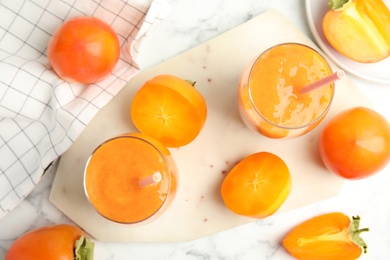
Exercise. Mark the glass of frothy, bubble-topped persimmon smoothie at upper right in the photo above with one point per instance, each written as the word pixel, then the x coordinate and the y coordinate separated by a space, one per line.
pixel 269 98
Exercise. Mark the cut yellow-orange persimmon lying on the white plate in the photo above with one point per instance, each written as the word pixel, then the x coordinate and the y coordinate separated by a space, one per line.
pixel 358 29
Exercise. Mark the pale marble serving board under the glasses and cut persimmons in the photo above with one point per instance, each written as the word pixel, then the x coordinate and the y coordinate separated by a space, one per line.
pixel 198 209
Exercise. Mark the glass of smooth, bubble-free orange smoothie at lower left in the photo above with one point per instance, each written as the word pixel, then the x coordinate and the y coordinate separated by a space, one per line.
pixel 130 179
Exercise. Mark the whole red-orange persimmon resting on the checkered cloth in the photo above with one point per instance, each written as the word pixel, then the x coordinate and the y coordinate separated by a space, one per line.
pixel 84 49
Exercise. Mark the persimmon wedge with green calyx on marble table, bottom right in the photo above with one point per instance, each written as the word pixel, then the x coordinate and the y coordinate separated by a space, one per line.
pixel 331 236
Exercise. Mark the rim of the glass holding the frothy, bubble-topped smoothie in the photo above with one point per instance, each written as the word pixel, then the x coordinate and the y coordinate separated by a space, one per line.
pixel 312 122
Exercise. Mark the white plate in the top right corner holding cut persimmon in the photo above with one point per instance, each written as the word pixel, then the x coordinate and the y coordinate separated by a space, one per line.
pixel 378 72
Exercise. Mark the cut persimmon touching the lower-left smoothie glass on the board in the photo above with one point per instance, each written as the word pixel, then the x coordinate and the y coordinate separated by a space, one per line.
pixel 170 110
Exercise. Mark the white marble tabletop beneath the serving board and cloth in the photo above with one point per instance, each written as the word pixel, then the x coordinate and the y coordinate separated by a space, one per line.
pixel 190 23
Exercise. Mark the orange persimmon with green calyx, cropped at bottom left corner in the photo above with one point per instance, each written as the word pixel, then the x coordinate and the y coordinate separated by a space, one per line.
pixel 63 241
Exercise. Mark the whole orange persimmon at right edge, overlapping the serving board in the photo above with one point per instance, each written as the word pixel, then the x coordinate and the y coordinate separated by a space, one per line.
pixel 355 143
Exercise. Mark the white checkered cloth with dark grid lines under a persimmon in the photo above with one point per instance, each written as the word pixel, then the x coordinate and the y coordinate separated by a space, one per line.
pixel 40 114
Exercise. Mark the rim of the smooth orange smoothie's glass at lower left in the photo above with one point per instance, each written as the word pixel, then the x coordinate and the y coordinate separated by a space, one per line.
pixel 169 175
